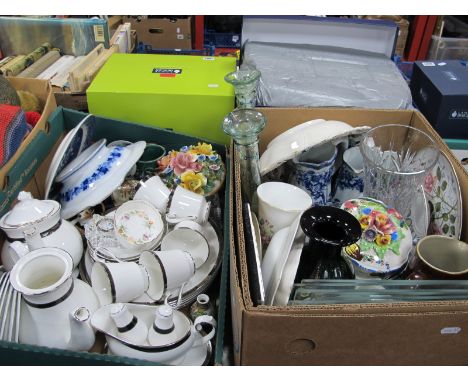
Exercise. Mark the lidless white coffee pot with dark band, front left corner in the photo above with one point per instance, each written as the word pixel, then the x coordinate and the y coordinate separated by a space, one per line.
pixel 55 308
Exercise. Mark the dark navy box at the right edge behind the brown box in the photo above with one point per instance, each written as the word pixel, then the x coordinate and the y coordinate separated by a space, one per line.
pixel 440 91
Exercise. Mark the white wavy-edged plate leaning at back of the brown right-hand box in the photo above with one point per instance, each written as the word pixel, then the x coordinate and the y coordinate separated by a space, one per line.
pixel 304 138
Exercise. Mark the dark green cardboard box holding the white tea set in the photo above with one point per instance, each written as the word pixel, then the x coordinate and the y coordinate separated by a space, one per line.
pixel 60 122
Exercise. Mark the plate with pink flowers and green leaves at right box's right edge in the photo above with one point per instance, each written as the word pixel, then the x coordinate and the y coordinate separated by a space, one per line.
pixel 444 196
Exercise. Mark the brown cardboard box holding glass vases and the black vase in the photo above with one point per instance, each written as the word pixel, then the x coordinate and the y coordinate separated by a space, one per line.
pixel 353 334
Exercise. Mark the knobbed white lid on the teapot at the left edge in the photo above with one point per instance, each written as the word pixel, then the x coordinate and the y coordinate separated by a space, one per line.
pixel 28 211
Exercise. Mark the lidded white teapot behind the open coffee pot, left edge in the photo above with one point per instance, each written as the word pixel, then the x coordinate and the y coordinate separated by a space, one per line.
pixel 32 224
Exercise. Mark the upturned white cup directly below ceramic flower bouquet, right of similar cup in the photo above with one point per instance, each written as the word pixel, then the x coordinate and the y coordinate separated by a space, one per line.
pixel 187 205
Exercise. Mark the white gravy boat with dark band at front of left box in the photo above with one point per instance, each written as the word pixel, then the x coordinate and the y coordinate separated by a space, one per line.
pixel 171 335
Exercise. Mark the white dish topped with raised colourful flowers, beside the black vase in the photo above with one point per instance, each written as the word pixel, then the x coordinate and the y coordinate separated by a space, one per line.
pixel 386 240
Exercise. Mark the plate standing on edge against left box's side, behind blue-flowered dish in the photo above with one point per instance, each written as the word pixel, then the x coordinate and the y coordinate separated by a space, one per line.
pixel 77 139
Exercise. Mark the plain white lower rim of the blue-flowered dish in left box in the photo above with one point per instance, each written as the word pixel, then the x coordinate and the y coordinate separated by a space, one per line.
pixel 105 186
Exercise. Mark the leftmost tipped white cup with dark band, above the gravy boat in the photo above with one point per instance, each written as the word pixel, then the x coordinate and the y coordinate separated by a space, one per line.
pixel 118 282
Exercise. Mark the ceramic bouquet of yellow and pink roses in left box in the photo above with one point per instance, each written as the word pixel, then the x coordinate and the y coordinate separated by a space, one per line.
pixel 197 168
